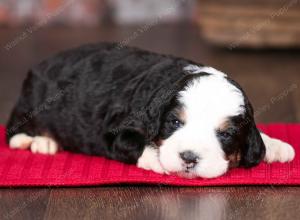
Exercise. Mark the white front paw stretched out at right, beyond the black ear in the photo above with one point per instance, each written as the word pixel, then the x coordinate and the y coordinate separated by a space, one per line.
pixel 277 150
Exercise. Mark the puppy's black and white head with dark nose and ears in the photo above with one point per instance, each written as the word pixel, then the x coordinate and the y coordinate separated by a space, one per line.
pixel 208 127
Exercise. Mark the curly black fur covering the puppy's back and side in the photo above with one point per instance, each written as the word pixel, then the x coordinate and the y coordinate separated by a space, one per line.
pixel 101 100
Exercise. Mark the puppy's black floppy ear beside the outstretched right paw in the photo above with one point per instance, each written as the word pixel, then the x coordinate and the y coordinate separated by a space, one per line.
pixel 254 150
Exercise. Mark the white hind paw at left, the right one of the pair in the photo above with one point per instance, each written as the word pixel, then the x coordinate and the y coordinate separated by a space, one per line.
pixel 44 145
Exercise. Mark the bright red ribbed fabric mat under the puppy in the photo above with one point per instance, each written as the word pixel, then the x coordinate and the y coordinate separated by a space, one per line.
pixel 22 168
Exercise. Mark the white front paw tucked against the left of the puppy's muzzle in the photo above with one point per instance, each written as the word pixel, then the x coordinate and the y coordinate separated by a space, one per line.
pixel 150 161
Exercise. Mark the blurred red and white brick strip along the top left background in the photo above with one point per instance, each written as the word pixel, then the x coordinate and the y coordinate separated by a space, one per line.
pixel 92 12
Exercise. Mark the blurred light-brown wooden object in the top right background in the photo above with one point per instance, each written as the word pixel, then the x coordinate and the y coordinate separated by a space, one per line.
pixel 254 24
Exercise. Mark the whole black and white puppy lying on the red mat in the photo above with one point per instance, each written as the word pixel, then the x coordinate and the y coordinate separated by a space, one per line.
pixel 163 113
